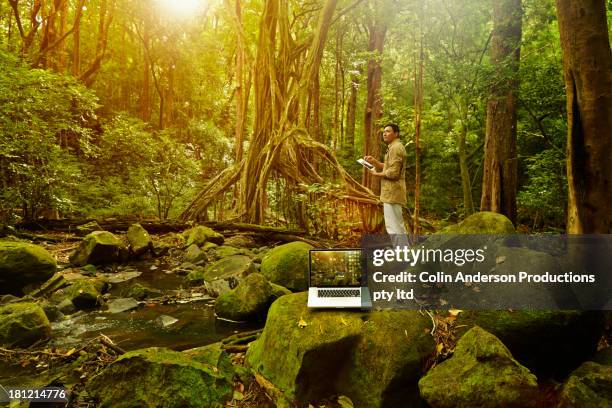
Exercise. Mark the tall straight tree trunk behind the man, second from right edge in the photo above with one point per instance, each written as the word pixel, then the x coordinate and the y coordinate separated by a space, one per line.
pixel 499 182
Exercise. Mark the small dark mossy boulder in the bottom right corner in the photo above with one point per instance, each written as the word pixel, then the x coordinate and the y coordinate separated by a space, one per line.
pixel 588 386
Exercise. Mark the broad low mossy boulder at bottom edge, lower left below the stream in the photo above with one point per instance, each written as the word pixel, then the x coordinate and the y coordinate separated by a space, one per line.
pixel 159 377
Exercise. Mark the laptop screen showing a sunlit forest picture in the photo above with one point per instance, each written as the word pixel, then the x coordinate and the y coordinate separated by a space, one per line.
pixel 336 267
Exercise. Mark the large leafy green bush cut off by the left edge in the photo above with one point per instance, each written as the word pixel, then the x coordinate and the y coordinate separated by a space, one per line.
pixel 45 122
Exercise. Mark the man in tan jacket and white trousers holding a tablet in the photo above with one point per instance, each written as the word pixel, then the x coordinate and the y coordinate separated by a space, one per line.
pixel 393 182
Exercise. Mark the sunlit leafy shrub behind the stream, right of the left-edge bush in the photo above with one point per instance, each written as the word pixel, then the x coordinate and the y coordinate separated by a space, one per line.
pixel 142 172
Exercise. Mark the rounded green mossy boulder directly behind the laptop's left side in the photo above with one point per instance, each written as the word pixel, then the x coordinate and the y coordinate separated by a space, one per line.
pixel 287 265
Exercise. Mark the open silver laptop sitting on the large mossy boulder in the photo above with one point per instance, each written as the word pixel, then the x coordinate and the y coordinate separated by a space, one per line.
pixel 337 278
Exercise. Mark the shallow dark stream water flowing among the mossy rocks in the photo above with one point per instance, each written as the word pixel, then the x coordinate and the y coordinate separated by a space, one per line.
pixel 195 324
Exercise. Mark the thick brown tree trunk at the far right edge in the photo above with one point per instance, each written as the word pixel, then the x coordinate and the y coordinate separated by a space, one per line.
pixel 587 64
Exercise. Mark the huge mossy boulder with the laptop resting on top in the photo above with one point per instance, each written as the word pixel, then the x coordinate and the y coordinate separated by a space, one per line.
pixel 373 358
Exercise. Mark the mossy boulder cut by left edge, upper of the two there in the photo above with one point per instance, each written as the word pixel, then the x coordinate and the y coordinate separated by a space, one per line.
pixel 23 264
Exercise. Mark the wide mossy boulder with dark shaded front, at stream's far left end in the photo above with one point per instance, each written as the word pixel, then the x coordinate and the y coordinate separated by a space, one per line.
pixel 97 248
